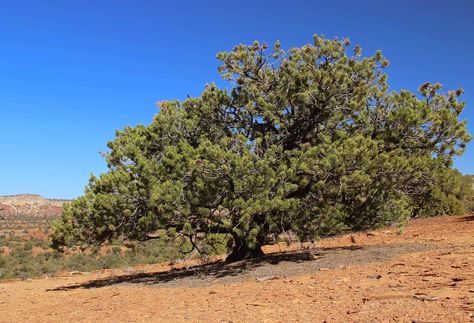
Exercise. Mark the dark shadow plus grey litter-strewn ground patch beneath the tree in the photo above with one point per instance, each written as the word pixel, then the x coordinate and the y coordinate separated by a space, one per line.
pixel 283 264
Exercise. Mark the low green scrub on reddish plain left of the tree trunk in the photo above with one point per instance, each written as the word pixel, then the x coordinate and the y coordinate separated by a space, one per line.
pixel 25 251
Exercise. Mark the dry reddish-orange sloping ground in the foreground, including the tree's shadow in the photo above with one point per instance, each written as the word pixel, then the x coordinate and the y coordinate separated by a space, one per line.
pixel 425 274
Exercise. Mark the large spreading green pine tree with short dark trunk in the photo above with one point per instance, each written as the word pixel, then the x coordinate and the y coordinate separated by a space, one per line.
pixel 309 141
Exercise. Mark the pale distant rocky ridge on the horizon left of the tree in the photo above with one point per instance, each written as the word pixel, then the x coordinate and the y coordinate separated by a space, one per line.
pixel 30 205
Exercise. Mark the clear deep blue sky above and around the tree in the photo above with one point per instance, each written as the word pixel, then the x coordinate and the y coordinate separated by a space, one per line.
pixel 71 72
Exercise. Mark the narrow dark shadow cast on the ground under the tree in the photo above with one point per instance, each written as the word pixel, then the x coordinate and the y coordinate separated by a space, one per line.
pixel 207 273
